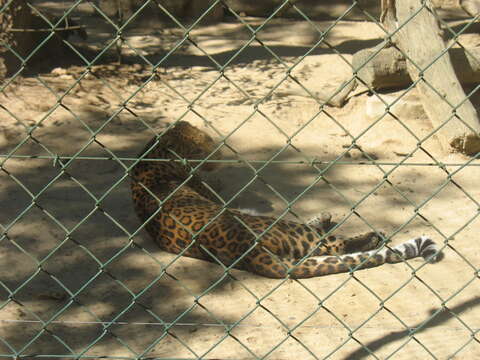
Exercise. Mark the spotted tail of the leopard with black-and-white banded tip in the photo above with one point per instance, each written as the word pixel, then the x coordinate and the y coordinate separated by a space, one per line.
pixel 326 265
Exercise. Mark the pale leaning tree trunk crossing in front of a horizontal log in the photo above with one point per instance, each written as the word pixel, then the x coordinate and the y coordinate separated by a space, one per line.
pixel 445 103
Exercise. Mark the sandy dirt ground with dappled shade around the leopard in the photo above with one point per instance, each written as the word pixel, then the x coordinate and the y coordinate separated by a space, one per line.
pixel 78 277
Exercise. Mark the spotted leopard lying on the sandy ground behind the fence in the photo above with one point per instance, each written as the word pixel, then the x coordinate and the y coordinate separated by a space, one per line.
pixel 184 216
